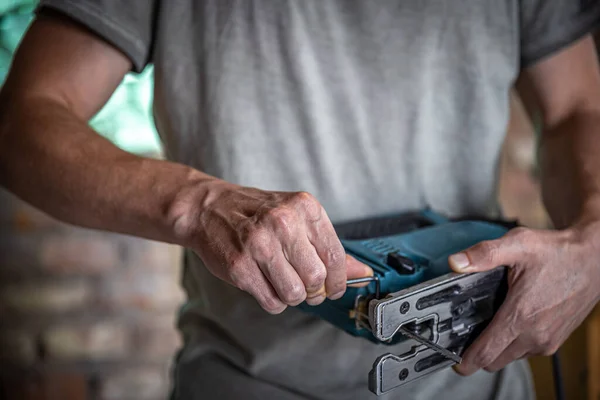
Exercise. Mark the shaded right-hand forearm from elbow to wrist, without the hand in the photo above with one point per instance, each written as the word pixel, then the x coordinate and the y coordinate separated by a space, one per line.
pixel 570 169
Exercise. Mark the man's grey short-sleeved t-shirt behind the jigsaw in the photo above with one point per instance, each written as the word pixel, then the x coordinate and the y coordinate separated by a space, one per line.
pixel 375 107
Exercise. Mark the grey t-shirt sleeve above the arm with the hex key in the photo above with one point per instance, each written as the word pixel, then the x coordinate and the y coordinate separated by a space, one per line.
pixel 126 24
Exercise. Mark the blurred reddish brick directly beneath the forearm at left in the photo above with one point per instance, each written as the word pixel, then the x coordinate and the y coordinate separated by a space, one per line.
pixel 89 253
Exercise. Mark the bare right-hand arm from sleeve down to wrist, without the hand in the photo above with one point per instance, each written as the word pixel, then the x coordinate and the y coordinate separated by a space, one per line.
pixel 564 94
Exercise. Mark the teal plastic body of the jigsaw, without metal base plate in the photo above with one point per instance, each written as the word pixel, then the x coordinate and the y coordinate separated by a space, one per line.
pixel 425 249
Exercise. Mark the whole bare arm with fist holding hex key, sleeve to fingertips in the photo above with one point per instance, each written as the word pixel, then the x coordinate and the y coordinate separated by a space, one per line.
pixel 278 246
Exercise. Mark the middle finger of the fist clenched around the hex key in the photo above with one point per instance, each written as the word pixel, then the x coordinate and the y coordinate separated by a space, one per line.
pixel 303 257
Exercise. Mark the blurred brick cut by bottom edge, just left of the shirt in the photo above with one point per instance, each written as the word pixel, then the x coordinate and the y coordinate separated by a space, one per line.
pixel 147 383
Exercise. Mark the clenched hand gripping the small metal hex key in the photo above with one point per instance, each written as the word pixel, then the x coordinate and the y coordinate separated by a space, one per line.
pixel 278 246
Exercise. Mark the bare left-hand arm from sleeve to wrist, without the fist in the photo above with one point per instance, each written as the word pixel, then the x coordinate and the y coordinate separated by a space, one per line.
pixel 49 156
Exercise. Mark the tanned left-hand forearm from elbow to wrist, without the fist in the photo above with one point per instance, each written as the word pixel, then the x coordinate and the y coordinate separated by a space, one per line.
pixel 52 159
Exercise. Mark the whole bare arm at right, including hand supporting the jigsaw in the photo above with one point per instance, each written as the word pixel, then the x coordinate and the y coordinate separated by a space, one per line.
pixel 553 274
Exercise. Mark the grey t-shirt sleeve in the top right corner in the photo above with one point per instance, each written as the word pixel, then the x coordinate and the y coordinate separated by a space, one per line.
pixel 548 26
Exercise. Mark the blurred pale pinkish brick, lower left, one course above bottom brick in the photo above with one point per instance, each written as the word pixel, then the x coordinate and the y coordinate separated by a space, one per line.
pixel 97 341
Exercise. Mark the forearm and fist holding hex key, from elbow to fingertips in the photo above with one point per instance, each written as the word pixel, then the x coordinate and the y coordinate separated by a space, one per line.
pixel 278 246
